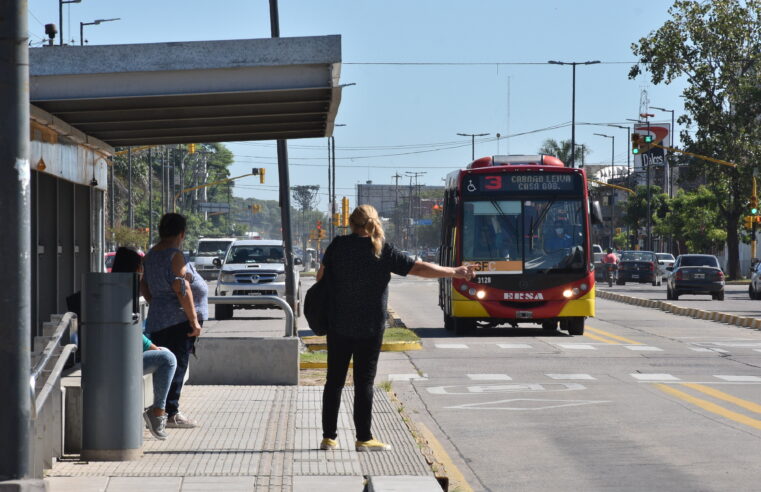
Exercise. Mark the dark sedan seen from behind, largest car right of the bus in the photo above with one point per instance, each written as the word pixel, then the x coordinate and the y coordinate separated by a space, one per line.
pixel 696 274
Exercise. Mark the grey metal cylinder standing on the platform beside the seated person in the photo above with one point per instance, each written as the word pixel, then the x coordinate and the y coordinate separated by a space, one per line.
pixel 112 368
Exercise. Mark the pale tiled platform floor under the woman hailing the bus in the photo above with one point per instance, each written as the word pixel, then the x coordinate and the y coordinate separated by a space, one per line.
pixel 255 438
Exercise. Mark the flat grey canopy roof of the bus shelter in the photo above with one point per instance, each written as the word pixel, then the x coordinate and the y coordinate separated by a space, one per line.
pixel 208 91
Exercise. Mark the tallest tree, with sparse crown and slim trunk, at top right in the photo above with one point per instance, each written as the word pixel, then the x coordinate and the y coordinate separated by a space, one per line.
pixel 716 46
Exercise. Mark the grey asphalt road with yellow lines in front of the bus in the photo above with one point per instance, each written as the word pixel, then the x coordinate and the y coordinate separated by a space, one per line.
pixel 644 401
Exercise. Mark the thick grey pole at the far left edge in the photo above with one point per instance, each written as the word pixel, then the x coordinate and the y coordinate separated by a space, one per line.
pixel 15 248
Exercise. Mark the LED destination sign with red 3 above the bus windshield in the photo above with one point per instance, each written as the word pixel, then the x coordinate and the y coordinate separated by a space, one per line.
pixel 522 183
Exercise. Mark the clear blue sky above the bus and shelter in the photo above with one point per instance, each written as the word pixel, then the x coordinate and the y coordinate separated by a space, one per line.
pixel 406 117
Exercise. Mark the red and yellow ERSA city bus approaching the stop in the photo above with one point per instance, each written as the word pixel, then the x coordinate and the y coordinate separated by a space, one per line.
pixel 524 223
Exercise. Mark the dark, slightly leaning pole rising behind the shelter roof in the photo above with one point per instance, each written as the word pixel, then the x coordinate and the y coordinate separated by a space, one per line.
pixel 285 189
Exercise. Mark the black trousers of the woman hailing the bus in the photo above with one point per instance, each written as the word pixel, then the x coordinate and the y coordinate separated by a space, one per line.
pixel 365 352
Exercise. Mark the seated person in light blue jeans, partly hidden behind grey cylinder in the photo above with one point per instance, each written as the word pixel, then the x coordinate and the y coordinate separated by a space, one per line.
pixel 158 361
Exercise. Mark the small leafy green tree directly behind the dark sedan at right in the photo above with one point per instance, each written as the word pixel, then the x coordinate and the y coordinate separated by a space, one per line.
pixel 695 219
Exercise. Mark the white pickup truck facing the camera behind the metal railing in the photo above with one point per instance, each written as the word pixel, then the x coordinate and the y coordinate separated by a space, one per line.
pixel 254 267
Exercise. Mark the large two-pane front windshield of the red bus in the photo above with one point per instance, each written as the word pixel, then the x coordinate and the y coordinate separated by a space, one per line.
pixel 518 236
